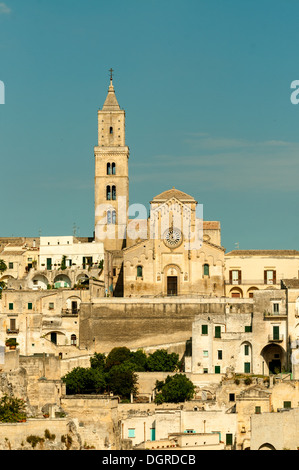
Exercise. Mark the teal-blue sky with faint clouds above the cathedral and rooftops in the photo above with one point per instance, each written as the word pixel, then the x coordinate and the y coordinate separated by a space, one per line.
pixel 206 89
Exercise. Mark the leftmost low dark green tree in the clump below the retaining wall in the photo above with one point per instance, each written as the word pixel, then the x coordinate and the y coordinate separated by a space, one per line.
pixel 84 381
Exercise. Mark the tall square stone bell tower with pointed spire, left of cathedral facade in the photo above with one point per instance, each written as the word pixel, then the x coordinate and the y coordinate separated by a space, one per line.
pixel 111 175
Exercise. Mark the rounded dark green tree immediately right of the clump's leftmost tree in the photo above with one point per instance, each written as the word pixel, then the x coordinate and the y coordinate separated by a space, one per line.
pixel 122 381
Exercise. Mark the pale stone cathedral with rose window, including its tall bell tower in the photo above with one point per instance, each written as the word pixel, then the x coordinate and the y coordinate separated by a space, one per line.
pixel 171 253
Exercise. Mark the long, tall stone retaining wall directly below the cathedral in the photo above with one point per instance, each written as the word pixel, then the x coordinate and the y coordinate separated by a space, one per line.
pixel 143 323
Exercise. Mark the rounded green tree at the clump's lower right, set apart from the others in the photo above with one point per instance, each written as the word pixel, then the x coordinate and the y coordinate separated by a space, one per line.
pixel 176 389
